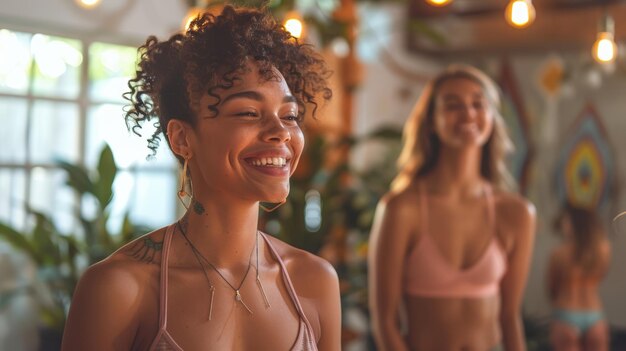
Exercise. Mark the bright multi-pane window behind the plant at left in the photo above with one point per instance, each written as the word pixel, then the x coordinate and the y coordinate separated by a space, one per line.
pixel 61 99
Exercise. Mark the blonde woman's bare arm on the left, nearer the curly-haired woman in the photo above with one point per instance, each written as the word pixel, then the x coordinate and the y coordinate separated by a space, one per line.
pixel 387 247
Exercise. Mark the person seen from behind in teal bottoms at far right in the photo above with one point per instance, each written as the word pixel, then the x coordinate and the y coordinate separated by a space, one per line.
pixel 577 268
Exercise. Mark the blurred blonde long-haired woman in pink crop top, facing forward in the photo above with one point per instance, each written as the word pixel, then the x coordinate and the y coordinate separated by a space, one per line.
pixel 450 247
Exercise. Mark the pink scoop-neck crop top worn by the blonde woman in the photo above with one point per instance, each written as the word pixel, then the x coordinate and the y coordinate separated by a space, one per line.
pixel 429 274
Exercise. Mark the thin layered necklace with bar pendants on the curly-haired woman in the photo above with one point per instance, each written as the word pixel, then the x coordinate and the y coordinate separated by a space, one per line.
pixel 238 297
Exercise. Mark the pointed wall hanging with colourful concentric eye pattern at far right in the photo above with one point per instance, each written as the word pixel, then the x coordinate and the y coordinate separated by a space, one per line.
pixel 585 168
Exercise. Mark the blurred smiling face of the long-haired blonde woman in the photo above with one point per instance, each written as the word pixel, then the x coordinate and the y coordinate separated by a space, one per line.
pixel 463 115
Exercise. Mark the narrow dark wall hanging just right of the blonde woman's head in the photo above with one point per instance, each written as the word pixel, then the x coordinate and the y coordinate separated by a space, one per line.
pixel 518 125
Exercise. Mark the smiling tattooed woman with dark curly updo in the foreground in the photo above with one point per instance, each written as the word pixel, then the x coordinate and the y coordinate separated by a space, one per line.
pixel 230 95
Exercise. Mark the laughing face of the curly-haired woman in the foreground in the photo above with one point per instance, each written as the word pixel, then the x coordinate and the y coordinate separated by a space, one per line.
pixel 251 148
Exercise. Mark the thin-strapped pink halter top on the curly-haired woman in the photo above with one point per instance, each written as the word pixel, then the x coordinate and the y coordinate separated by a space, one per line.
pixel 305 341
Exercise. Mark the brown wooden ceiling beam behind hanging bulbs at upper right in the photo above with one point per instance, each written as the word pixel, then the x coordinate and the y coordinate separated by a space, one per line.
pixel 572 29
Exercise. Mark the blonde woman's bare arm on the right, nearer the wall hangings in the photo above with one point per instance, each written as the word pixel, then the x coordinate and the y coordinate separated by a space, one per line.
pixel 520 223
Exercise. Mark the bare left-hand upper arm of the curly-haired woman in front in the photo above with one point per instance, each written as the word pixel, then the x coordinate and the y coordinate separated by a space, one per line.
pixel 103 311
